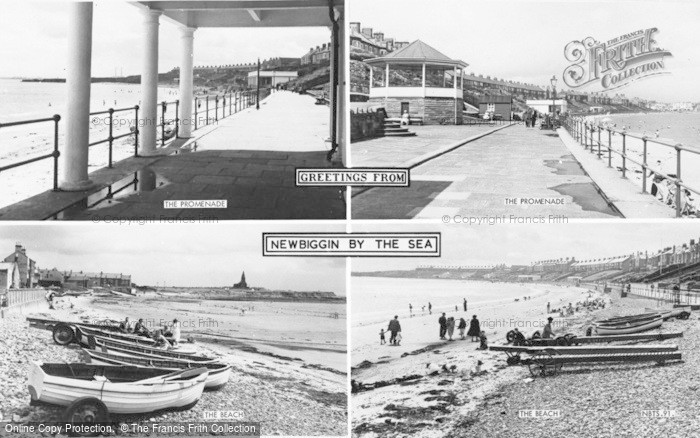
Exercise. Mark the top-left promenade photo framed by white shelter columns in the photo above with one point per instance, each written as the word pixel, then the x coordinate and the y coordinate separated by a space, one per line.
pixel 122 109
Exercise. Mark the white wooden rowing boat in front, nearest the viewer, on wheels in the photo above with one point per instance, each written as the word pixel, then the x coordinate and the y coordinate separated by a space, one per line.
pixel 118 389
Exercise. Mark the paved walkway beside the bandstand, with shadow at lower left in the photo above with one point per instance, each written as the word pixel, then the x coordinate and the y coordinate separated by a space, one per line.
pixel 477 179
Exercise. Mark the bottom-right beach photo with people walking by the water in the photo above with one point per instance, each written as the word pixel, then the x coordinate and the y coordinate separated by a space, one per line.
pixel 539 331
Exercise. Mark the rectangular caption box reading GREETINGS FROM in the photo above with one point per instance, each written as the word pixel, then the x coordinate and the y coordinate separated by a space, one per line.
pixel 357 177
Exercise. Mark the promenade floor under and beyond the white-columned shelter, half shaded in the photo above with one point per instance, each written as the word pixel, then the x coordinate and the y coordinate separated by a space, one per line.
pixel 248 159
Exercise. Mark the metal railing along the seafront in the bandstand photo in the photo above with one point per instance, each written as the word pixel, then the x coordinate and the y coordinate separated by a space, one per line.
pixel 589 135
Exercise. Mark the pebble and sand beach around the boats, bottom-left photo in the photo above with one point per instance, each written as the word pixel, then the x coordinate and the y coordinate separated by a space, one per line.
pixel 302 396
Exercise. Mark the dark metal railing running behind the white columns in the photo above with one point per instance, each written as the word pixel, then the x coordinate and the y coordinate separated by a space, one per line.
pixel 234 102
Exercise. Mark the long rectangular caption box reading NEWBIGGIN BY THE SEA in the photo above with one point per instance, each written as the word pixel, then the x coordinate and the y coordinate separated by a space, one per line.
pixel 352 244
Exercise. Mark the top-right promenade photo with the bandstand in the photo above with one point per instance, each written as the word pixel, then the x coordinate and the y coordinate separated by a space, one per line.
pixel 539 109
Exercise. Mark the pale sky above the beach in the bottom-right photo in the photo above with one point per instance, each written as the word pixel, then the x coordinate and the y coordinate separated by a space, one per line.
pixel 522 244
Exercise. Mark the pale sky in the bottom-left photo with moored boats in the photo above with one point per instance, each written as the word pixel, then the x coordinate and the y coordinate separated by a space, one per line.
pixel 179 255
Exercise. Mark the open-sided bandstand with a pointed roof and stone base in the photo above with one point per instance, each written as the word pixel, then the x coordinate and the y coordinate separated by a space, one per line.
pixel 420 81
